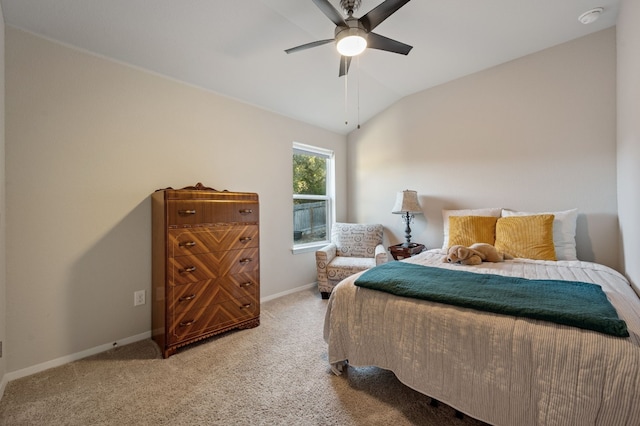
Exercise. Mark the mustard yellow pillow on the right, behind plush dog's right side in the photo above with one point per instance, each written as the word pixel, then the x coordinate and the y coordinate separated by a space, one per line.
pixel 529 237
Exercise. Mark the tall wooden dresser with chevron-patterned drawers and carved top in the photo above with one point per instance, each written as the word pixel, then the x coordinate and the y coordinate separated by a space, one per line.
pixel 206 264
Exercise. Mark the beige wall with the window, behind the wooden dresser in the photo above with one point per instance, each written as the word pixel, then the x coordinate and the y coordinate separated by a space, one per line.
pixel 88 140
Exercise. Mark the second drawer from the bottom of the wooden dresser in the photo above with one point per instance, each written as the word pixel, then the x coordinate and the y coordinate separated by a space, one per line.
pixel 208 292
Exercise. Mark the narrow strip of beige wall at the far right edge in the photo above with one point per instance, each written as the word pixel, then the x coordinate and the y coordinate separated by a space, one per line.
pixel 629 137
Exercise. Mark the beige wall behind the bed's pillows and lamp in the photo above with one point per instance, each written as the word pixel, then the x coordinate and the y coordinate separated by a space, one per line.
pixel 534 134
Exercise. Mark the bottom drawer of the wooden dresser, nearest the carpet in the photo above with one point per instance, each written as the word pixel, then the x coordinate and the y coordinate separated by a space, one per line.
pixel 199 321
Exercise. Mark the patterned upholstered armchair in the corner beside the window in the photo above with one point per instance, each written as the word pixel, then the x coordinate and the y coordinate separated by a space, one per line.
pixel 354 247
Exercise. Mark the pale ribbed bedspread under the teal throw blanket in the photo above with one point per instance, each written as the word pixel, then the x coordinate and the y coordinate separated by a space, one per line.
pixel 497 368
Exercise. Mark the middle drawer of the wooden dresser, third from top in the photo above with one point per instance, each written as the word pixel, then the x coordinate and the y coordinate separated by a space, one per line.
pixel 191 269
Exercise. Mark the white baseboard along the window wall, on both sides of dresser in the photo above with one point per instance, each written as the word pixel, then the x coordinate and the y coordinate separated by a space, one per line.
pixel 102 348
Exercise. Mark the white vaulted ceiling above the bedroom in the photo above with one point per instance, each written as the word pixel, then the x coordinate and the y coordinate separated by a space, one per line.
pixel 236 47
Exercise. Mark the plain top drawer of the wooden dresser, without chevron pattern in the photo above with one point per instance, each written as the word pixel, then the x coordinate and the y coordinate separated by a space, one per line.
pixel 194 212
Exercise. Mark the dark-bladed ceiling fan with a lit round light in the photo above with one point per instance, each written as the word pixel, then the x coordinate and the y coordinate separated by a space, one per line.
pixel 354 35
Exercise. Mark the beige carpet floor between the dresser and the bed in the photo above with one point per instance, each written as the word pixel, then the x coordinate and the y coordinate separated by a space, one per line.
pixel 275 374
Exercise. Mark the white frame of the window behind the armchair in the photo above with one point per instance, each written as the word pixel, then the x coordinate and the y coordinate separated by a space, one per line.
pixel 299 148
